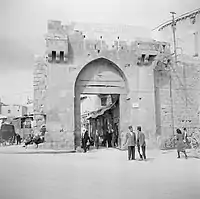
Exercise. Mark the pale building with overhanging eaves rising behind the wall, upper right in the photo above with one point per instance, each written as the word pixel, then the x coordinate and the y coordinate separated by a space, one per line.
pixel 187 27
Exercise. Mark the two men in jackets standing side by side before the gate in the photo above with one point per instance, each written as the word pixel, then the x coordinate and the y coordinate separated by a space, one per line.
pixel 134 139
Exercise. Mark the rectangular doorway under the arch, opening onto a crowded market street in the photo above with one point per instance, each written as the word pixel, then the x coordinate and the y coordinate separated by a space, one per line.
pixel 100 116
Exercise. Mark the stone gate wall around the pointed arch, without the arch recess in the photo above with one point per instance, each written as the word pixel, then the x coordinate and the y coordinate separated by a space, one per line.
pixel 134 61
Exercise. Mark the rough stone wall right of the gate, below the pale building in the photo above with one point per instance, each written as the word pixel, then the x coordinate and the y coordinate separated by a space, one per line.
pixel 185 97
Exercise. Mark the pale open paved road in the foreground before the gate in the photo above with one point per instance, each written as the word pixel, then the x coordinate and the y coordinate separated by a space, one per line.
pixel 98 175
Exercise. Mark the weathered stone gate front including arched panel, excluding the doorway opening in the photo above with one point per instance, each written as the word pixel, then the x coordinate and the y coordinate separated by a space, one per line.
pixel 126 66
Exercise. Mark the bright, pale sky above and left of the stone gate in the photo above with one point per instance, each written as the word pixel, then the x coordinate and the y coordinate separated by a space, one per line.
pixel 24 22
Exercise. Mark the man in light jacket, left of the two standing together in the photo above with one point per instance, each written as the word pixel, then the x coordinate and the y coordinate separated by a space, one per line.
pixel 131 142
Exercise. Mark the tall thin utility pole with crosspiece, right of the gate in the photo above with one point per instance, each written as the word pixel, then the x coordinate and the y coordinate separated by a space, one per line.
pixel 175 53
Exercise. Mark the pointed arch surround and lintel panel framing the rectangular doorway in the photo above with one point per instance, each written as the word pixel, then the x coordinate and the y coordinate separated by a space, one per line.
pixel 100 76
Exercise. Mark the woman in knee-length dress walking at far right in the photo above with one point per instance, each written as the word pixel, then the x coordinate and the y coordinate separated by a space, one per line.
pixel 180 143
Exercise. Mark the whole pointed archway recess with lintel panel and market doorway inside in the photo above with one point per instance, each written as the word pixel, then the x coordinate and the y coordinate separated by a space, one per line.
pixel 99 88
